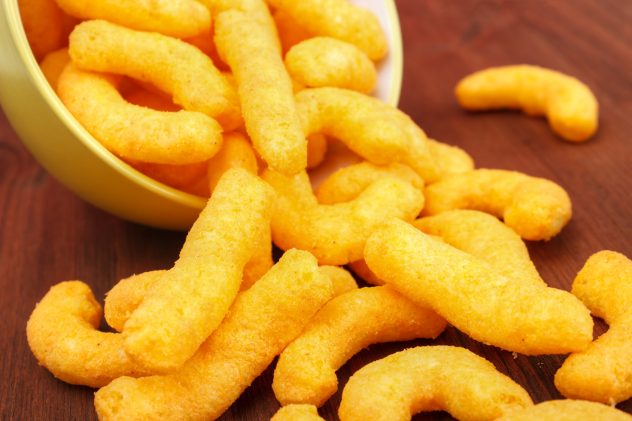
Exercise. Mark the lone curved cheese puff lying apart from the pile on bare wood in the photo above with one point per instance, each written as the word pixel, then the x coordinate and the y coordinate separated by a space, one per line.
pixel 569 105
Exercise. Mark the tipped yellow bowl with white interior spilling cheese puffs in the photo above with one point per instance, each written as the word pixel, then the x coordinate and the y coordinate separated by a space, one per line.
pixel 75 158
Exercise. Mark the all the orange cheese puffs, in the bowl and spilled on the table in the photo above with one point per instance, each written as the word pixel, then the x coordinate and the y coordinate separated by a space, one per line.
pixel 236 100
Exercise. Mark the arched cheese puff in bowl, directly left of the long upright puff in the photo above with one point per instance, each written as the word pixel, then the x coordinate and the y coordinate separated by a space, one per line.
pixel 170 64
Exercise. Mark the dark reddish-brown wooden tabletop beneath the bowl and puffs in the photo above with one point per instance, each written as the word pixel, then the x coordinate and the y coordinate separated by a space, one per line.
pixel 48 235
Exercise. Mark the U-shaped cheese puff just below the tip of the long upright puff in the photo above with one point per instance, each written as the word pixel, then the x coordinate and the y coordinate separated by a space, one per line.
pixel 335 234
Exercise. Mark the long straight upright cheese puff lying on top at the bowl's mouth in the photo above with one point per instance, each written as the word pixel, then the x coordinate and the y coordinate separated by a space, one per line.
pixel 265 91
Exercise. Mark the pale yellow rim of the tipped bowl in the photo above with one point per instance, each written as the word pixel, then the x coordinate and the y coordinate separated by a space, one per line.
pixel 35 74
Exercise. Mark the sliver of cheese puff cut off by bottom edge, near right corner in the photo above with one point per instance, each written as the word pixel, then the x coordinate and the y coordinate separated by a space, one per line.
pixel 567 410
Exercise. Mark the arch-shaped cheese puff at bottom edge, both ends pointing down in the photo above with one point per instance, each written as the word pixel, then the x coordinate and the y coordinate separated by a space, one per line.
pixel 430 378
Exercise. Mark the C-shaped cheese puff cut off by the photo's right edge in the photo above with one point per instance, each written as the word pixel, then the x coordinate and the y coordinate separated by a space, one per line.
pixel 603 372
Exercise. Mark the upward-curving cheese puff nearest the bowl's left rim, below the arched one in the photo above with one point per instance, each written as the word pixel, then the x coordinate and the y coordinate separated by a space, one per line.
pixel 133 132
